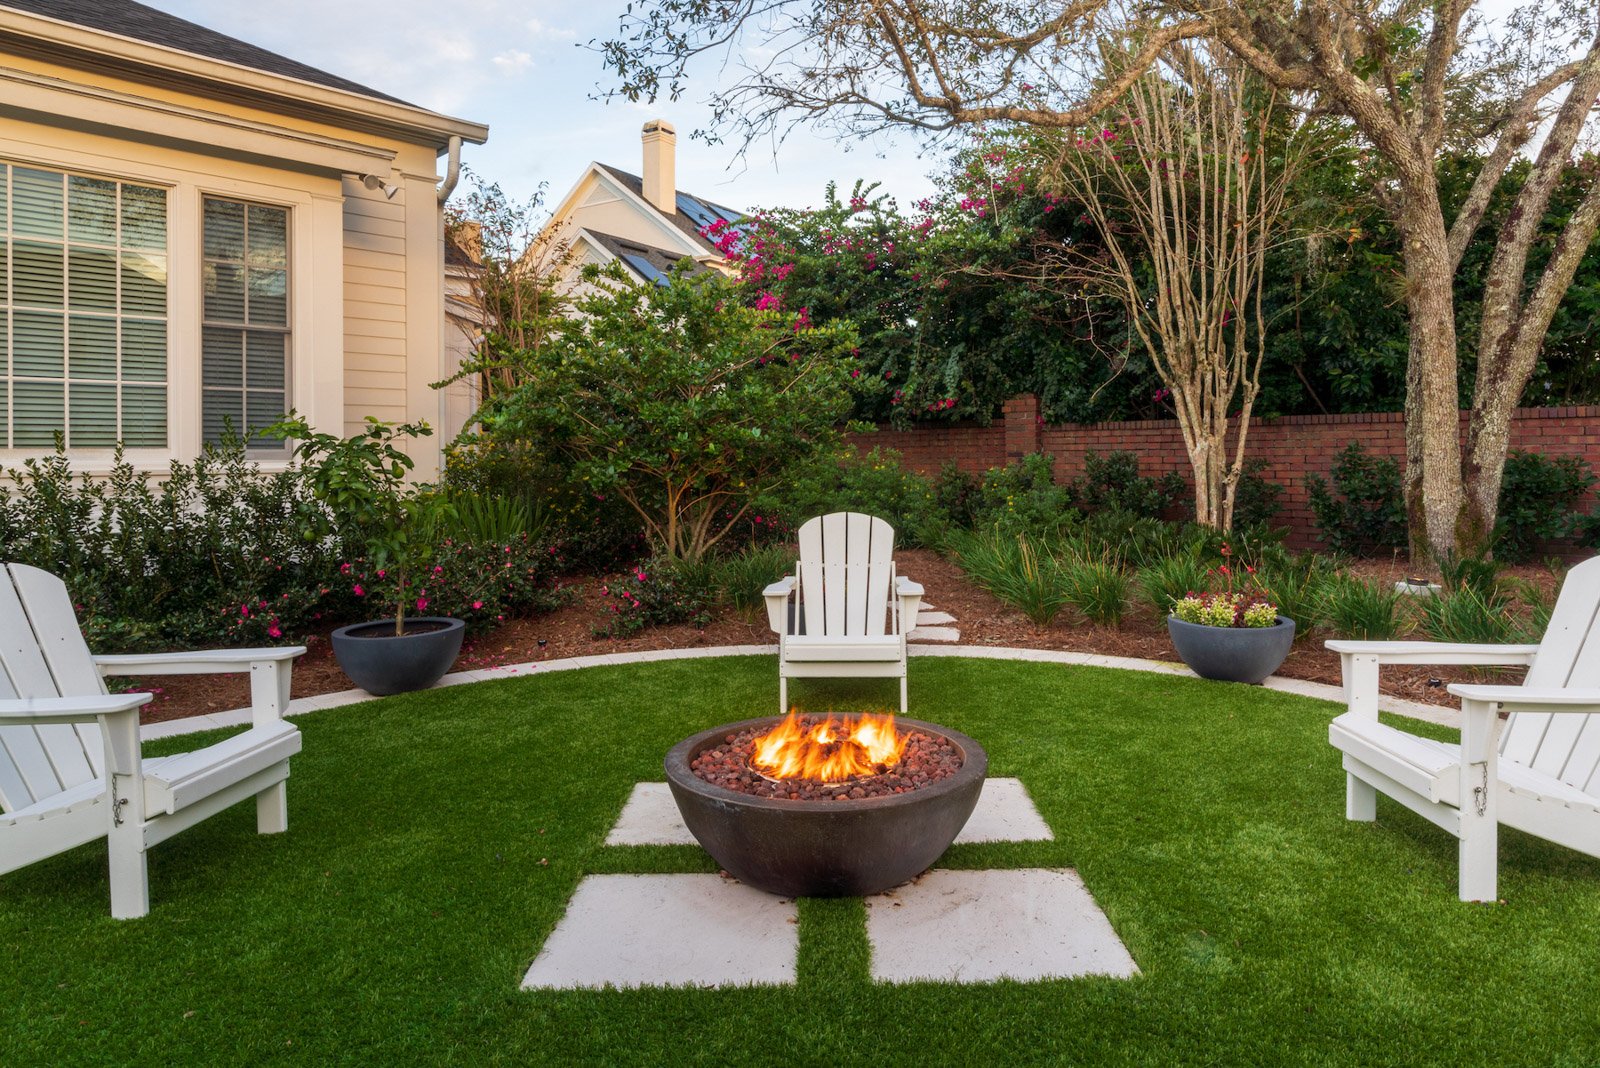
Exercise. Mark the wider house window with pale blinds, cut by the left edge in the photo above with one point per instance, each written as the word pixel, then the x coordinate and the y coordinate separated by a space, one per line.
pixel 82 311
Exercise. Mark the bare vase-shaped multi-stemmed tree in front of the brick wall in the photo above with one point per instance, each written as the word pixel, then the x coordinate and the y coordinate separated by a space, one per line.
pixel 1186 185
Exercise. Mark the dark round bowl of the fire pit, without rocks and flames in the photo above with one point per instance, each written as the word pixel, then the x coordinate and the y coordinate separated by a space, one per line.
pixel 825 848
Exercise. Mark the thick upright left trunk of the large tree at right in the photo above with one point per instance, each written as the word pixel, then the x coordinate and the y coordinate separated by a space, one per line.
pixel 1433 479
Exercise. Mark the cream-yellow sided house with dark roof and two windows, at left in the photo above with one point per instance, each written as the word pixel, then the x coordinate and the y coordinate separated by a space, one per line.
pixel 198 233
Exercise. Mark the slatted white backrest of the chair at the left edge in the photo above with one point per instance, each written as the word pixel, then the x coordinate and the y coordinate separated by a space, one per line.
pixel 44 655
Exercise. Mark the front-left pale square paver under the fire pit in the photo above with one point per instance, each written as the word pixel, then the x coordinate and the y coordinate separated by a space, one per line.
pixel 631 931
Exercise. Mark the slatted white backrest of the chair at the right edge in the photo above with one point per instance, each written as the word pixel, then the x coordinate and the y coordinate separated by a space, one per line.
pixel 1566 747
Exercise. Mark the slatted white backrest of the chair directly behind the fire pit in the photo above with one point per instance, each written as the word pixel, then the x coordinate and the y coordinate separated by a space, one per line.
pixel 847 568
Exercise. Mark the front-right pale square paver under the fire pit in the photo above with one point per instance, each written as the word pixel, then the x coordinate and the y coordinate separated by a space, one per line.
pixel 983 927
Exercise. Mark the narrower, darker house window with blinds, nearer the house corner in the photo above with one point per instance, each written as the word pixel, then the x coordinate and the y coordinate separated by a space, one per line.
pixel 246 340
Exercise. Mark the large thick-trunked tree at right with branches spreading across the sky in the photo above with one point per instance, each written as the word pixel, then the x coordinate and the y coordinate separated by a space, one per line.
pixel 1412 79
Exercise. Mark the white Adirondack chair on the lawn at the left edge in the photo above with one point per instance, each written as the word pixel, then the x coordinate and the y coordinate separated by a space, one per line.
pixel 70 752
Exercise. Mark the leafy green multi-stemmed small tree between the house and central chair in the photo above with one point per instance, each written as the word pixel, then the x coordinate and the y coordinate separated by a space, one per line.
pixel 682 400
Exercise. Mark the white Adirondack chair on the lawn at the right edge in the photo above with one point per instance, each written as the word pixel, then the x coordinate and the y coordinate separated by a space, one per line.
pixel 1542 776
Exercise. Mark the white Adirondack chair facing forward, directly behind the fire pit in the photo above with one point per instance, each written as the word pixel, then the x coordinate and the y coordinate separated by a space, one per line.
pixel 836 616
